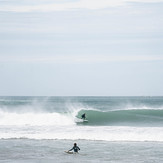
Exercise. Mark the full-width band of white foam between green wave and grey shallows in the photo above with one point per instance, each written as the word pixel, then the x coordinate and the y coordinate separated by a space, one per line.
pixel 87 133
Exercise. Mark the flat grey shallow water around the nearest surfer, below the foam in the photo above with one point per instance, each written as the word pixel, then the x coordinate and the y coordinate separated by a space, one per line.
pixel 27 150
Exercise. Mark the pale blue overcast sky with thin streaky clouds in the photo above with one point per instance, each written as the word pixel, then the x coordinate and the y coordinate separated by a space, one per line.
pixel 81 47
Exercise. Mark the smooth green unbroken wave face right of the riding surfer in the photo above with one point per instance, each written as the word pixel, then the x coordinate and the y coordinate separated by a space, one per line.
pixel 143 117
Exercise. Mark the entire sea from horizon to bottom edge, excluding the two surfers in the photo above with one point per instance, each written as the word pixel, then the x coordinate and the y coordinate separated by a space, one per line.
pixel 119 129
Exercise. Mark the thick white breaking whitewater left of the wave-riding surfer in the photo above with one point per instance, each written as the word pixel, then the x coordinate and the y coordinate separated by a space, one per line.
pixel 35 119
